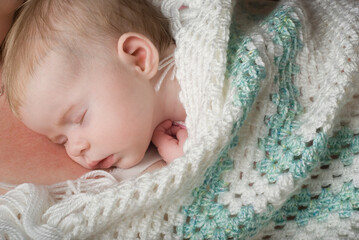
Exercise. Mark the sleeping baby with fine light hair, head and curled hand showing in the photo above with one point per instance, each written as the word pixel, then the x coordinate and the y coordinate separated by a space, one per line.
pixel 97 77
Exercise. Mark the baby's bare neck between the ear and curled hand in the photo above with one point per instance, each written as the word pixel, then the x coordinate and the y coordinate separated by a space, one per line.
pixel 169 105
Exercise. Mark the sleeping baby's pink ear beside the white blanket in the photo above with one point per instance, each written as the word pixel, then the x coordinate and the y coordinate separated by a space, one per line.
pixel 139 51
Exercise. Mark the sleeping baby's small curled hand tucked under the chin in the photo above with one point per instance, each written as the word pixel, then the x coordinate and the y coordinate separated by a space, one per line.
pixel 169 140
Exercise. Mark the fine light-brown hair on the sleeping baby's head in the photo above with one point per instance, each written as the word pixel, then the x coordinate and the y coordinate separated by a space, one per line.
pixel 44 24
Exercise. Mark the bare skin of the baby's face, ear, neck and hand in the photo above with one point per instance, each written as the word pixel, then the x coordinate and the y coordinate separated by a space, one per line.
pixel 103 107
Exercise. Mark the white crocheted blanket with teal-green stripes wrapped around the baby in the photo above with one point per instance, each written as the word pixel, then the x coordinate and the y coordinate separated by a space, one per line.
pixel 271 91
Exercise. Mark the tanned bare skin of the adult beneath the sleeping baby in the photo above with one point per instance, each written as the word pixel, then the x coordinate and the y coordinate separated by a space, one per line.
pixel 26 156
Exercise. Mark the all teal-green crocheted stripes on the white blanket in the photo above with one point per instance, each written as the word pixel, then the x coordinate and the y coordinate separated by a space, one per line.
pixel 206 218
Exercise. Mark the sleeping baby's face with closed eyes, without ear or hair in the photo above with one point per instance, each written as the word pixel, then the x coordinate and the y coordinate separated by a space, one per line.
pixel 100 109
